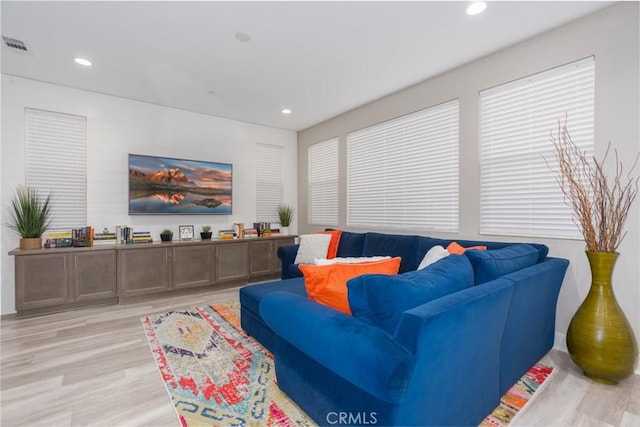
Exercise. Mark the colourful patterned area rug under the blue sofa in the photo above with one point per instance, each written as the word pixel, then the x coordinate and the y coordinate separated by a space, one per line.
pixel 217 375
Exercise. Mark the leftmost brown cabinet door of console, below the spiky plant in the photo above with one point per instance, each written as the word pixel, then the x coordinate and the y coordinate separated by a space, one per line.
pixel 41 280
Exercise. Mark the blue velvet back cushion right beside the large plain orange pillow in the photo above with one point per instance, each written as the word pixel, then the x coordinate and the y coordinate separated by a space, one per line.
pixel 381 300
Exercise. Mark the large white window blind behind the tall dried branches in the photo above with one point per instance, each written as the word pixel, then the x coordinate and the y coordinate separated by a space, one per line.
pixel 519 193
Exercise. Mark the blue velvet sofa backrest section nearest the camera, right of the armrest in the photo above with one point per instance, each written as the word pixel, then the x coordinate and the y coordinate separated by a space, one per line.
pixel 458 340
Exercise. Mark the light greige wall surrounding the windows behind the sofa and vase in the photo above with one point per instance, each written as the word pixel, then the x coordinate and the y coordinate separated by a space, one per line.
pixel 612 36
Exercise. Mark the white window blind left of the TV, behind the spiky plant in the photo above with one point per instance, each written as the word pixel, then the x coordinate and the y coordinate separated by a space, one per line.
pixel 56 164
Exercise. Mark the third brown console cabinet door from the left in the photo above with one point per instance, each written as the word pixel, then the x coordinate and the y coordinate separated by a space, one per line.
pixel 143 271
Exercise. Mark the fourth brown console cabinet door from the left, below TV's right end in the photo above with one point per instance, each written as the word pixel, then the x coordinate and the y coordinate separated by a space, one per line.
pixel 191 266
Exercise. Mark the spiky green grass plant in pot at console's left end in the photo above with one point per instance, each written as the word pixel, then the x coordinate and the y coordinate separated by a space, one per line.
pixel 29 217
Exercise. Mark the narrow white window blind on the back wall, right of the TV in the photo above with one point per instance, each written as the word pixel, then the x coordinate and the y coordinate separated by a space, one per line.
pixel 269 187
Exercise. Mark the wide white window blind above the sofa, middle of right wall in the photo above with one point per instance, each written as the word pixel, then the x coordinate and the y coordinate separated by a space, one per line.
pixel 403 173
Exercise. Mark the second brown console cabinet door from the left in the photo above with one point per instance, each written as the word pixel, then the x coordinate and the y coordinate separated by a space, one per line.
pixel 94 275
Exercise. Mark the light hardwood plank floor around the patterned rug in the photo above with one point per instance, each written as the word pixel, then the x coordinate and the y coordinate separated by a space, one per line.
pixel 94 367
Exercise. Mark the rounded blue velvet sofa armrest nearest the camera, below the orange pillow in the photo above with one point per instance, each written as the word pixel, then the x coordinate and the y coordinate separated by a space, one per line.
pixel 364 355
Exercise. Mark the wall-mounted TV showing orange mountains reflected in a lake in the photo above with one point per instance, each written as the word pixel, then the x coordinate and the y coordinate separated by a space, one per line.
pixel 162 185
